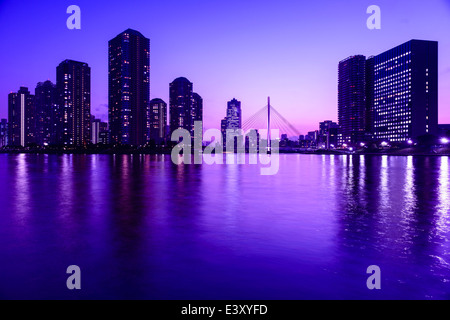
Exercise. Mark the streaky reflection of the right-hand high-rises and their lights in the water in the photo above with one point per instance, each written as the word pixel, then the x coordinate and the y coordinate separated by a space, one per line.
pixel 396 207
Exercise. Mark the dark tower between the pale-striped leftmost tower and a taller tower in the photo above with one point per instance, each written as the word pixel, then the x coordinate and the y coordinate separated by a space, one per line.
pixel 47 113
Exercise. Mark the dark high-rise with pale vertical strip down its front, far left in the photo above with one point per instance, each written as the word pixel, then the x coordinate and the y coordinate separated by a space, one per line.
pixel 21 118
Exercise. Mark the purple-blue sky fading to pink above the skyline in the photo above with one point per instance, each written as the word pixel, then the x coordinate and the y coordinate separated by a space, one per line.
pixel 288 50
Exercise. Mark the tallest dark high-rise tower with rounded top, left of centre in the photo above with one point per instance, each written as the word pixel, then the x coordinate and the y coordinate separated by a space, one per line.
pixel 129 88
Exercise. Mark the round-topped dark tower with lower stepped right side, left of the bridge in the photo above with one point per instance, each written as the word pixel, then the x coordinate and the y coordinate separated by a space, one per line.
pixel 186 107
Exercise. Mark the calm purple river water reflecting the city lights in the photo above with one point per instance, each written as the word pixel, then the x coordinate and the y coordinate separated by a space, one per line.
pixel 142 227
